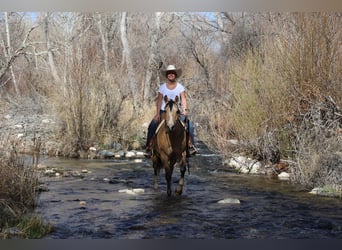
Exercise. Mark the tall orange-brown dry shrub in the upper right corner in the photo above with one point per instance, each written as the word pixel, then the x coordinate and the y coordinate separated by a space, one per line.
pixel 309 53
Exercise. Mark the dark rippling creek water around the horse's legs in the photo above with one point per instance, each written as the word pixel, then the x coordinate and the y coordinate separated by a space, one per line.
pixel 91 206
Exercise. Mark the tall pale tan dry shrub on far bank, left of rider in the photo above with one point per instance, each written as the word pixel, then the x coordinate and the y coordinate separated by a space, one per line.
pixel 88 111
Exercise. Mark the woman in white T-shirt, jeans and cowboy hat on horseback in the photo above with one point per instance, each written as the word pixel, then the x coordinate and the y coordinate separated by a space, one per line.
pixel 171 88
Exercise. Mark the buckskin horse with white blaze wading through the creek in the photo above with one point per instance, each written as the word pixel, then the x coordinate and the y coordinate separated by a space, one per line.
pixel 170 146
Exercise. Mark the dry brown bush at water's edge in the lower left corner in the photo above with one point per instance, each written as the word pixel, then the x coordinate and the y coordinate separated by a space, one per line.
pixel 18 194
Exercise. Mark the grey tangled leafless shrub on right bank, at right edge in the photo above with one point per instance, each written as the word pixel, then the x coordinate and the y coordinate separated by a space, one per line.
pixel 319 147
